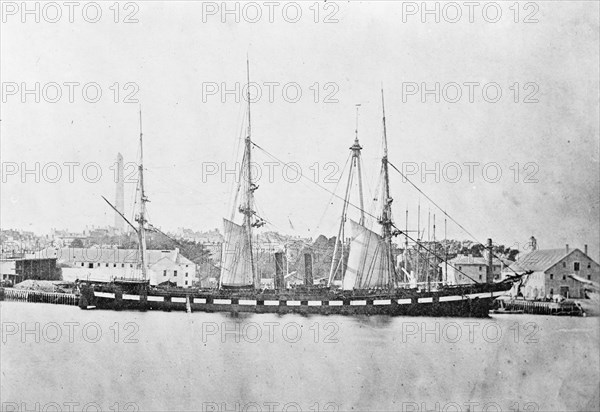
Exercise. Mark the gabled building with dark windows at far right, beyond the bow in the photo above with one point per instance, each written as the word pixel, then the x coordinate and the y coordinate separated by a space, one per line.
pixel 551 272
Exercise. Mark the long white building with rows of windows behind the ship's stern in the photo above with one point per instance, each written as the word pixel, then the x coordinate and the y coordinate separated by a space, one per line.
pixel 105 264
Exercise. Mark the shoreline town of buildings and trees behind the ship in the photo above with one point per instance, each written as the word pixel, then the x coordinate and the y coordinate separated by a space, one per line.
pixel 186 258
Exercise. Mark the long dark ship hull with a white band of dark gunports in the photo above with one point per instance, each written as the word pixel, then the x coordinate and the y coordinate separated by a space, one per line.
pixel 457 301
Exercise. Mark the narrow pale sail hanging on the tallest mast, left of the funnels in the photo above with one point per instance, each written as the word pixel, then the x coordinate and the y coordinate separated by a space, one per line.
pixel 236 269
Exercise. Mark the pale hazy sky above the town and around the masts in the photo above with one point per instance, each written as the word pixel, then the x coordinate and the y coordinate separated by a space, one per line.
pixel 499 103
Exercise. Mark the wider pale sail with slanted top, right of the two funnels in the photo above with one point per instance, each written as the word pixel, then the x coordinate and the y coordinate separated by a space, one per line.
pixel 368 266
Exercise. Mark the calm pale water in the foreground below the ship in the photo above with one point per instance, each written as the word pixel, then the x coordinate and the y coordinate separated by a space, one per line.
pixel 214 362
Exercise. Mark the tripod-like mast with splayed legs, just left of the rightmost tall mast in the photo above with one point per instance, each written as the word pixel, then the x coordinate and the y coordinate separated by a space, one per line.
pixel 355 163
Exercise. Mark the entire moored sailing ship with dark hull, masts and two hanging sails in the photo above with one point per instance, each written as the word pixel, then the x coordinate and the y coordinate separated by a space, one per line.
pixel 370 282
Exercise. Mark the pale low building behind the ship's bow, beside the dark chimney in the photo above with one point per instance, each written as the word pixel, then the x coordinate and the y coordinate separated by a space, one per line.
pixel 467 269
